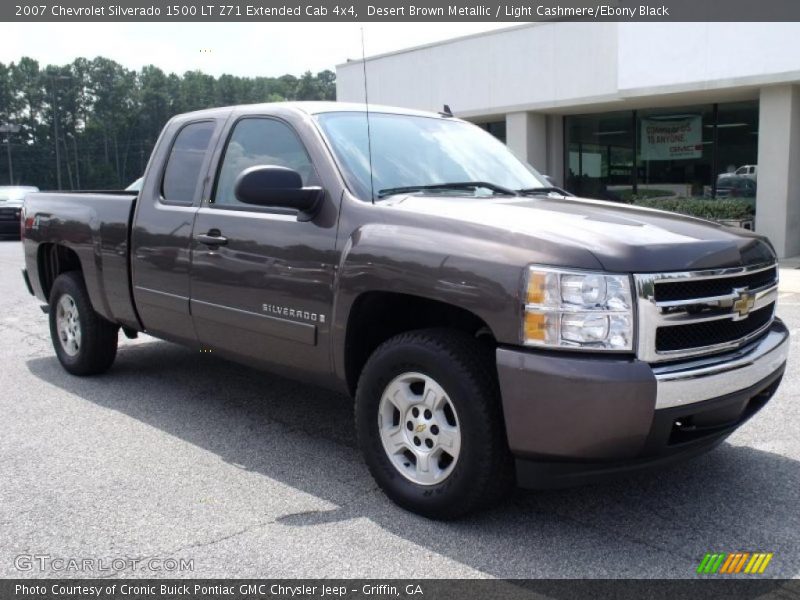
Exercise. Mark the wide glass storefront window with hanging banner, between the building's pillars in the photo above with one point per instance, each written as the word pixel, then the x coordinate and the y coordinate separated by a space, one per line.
pixel 695 151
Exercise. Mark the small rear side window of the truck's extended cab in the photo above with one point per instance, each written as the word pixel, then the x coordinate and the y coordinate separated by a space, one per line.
pixel 182 175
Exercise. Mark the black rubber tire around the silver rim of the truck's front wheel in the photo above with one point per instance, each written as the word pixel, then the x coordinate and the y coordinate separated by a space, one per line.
pixel 483 473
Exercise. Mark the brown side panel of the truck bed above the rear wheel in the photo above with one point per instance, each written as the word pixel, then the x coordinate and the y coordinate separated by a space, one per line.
pixel 92 227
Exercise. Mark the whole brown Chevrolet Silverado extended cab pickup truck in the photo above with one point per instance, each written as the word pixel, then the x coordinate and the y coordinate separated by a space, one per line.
pixel 490 327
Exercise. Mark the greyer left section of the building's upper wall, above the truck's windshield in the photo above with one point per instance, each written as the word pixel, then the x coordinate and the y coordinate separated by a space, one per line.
pixel 522 67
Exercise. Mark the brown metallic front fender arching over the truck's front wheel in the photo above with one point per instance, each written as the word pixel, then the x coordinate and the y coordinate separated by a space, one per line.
pixel 479 276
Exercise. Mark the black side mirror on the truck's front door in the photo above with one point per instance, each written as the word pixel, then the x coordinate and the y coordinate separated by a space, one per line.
pixel 279 187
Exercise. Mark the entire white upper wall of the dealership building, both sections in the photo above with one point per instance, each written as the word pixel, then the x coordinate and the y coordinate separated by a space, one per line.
pixel 567 66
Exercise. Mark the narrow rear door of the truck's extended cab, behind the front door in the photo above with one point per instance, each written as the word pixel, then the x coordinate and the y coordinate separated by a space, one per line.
pixel 162 228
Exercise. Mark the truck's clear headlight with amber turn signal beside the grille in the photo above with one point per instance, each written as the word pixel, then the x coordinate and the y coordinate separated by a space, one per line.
pixel 578 309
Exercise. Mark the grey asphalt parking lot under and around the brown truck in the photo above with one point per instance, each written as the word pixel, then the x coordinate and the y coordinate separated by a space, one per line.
pixel 183 455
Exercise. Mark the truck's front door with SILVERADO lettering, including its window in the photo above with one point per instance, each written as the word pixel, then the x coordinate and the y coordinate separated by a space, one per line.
pixel 263 290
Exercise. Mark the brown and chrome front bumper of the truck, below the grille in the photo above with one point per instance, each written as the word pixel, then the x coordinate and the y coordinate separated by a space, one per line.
pixel 572 419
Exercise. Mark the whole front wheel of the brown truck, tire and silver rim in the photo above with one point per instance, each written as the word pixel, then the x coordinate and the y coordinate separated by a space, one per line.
pixel 430 425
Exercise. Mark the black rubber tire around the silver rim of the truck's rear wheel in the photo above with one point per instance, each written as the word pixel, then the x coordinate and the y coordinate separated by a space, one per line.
pixel 98 337
